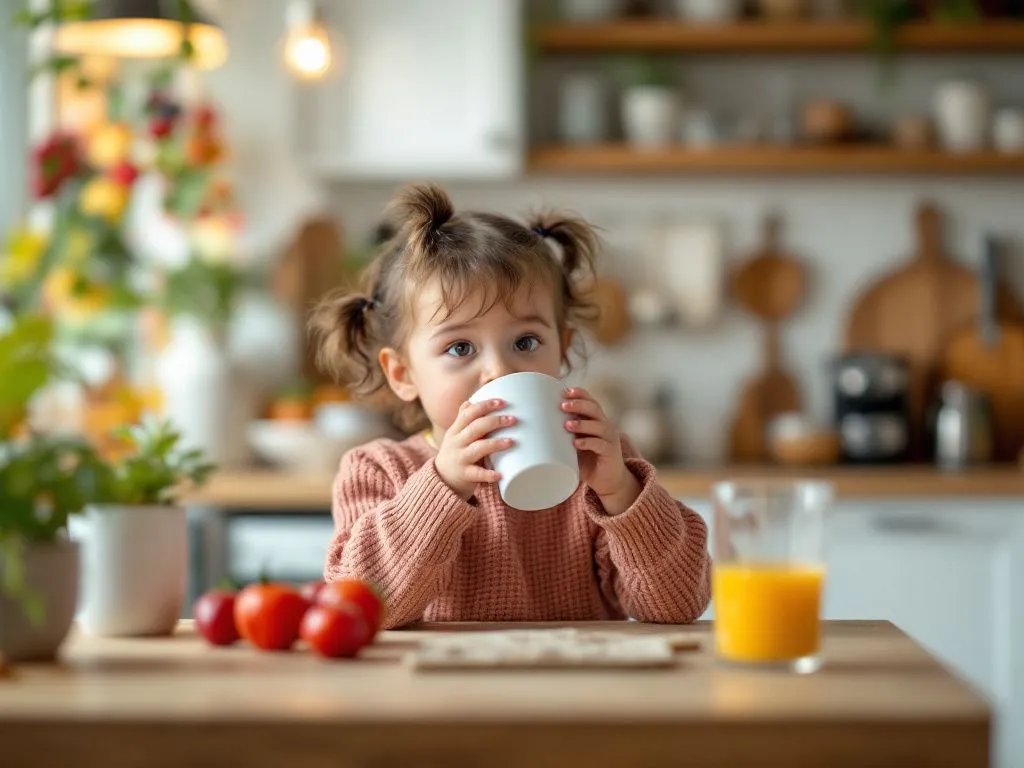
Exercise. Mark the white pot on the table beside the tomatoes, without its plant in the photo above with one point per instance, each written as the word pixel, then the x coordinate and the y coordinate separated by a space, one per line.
pixel 135 570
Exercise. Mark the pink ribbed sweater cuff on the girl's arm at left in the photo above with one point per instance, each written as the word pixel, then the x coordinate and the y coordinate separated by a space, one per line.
pixel 435 517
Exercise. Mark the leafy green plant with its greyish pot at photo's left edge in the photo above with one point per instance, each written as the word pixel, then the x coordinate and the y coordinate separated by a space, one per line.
pixel 44 481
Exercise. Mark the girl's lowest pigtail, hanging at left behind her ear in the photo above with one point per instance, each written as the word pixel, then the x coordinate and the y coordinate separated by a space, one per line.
pixel 340 326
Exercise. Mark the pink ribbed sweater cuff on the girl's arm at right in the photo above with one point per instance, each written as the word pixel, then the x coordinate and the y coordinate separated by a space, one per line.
pixel 651 530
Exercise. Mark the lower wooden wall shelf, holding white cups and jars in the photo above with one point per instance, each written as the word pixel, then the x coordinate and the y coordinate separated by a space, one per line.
pixel 736 159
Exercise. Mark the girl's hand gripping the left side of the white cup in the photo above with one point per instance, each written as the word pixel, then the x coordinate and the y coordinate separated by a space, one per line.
pixel 466 445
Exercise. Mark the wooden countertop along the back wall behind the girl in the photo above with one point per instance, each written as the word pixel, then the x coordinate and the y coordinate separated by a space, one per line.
pixel 270 490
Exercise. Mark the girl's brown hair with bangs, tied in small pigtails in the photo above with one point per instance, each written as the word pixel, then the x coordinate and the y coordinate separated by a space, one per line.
pixel 464 252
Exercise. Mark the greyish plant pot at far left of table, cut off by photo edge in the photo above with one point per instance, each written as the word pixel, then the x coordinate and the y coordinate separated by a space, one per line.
pixel 52 576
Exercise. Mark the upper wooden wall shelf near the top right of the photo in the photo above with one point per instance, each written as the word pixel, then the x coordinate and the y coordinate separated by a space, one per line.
pixel 666 35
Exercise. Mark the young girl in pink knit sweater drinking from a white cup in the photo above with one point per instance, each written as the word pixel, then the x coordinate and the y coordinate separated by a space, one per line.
pixel 452 303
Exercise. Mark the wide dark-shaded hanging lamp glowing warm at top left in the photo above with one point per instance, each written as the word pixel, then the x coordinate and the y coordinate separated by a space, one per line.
pixel 143 29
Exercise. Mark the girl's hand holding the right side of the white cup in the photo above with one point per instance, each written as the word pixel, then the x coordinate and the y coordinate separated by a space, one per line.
pixel 602 463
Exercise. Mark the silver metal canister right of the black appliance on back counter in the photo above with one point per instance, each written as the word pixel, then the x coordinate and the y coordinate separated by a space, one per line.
pixel 963 428
